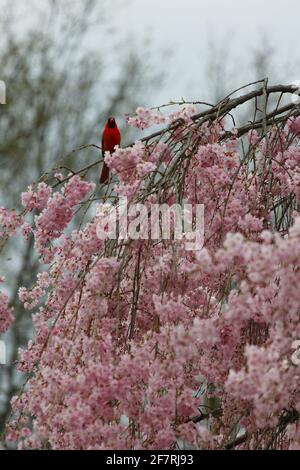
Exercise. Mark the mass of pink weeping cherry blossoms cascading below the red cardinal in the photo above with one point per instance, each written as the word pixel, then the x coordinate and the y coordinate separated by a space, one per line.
pixel 140 344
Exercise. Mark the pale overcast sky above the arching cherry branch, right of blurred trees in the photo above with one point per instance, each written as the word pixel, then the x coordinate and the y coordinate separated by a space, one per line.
pixel 187 27
